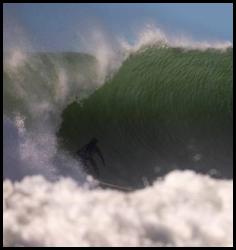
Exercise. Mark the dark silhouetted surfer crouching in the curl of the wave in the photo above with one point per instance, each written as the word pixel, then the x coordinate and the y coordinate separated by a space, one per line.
pixel 86 155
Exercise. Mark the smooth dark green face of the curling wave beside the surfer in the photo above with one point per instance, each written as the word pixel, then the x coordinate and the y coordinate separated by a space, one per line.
pixel 165 108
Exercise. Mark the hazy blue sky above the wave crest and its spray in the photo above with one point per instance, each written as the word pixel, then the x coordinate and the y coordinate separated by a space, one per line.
pixel 56 26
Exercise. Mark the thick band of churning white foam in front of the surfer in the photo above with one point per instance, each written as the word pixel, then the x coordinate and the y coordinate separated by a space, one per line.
pixel 184 209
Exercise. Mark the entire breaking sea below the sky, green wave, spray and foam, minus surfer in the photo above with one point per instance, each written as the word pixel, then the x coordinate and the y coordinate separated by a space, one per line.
pixel 179 182
